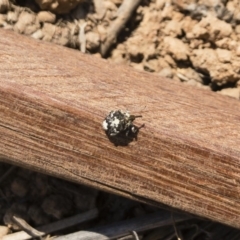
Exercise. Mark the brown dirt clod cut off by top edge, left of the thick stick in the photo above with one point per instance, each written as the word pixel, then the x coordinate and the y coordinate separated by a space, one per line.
pixel 58 6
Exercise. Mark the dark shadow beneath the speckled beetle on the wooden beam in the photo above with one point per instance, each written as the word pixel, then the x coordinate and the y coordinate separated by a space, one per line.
pixel 125 137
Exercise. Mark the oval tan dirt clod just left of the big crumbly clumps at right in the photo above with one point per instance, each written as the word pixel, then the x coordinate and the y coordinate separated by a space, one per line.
pixel 176 48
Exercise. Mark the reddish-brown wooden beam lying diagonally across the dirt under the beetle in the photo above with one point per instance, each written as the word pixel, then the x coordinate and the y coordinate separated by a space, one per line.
pixel 53 101
